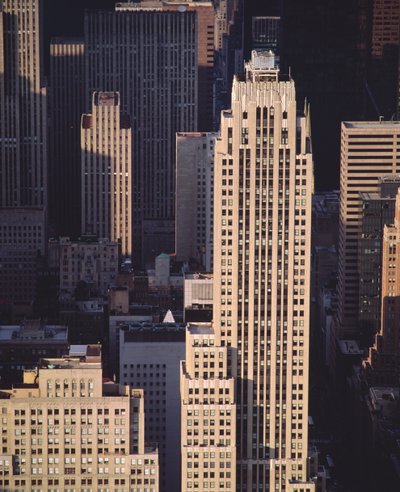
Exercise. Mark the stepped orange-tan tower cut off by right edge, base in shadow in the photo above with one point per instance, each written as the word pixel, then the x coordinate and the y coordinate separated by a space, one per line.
pixel 384 357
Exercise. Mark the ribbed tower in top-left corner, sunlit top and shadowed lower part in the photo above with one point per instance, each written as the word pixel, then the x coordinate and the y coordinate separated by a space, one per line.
pixel 23 122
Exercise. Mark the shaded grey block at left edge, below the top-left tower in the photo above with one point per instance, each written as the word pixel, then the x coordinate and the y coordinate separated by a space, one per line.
pixel 22 242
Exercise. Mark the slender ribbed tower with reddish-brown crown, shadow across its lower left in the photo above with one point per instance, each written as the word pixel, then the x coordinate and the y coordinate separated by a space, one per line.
pixel 107 171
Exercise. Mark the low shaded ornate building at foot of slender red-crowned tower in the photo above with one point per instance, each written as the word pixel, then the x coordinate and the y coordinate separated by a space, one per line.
pixel 89 261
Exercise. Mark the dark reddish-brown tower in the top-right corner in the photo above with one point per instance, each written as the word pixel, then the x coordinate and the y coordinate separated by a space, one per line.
pixel 385 25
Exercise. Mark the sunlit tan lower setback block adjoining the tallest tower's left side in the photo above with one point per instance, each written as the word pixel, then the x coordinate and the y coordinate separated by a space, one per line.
pixel 208 414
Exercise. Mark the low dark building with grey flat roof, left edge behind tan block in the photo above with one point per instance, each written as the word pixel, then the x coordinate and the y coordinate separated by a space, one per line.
pixel 21 347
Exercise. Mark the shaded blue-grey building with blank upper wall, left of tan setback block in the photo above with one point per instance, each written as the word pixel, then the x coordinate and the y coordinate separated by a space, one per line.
pixel 149 359
